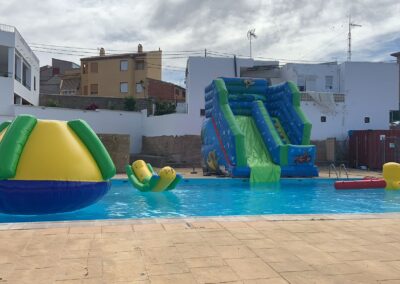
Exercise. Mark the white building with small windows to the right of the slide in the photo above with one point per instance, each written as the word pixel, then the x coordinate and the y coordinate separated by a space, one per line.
pixel 348 96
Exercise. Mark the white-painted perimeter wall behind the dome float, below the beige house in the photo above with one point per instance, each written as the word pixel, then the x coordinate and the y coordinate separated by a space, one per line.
pixel 102 121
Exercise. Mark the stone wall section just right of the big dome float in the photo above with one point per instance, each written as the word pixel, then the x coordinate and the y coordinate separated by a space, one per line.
pixel 118 147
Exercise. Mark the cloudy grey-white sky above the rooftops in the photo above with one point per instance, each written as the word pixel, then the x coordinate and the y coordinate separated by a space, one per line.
pixel 288 30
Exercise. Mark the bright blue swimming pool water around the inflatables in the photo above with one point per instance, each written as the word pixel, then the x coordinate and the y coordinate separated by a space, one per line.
pixel 221 197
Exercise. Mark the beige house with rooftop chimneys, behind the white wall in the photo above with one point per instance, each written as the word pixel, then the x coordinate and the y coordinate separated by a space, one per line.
pixel 119 75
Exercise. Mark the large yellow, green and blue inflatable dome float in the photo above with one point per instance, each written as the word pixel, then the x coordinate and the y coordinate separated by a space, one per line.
pixel 49 166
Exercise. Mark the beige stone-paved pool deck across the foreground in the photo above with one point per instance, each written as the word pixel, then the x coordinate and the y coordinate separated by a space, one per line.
pixel 345 248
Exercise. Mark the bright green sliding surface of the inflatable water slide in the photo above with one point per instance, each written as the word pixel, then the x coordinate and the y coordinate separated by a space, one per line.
pixel 258 158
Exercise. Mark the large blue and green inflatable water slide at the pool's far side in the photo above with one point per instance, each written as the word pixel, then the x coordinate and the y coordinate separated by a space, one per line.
pixel 255 130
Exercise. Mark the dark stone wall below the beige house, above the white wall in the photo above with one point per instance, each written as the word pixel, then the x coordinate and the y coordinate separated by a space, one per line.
pixel 82 102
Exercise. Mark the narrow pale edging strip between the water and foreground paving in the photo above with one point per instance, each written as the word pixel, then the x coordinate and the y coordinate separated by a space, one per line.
pixel 133 221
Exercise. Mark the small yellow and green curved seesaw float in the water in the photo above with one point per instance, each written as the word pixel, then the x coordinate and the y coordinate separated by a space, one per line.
pixel 144 178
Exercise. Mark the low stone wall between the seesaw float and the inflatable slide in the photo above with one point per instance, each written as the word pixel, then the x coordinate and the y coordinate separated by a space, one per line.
pixel 178 151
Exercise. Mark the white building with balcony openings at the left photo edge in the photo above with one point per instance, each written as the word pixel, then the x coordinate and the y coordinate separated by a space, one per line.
pixel 19 72
